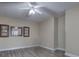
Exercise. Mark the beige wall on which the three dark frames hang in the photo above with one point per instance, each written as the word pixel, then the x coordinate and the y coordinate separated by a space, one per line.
pixel 15 42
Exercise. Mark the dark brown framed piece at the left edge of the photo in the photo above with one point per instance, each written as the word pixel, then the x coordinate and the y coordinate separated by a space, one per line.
pixel 4 30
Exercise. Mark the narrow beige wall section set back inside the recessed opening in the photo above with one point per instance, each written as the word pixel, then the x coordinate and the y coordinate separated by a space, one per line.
pixel 61 32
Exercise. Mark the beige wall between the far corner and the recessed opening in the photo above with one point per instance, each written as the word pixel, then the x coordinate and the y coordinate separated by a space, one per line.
pixel 47 33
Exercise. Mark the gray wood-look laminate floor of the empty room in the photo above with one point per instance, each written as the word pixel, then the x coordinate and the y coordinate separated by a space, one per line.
pixel 31 52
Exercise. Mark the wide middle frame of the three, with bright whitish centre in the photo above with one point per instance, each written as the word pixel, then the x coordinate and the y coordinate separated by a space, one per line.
pixel 15 31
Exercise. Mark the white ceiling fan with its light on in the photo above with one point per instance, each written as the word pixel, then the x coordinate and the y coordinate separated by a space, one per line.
pixel 33 8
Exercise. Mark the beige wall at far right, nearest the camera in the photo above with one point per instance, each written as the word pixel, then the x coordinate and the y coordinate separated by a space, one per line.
pixel 72 31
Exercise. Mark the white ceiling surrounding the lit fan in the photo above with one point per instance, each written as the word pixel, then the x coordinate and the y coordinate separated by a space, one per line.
pixel 50 8
